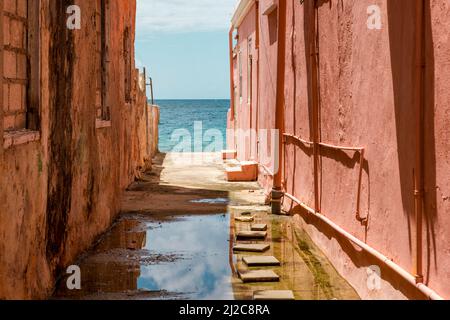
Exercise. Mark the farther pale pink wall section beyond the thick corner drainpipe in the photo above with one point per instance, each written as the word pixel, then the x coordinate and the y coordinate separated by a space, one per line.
pixel 261 115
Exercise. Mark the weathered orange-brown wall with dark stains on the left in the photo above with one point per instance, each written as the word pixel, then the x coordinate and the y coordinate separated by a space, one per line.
pixel 59 193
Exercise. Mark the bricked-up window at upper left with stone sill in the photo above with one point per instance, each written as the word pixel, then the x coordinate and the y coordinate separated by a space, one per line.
pixel 21 65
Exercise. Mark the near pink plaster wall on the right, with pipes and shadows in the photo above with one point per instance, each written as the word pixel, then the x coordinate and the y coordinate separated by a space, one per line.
pixel 366 84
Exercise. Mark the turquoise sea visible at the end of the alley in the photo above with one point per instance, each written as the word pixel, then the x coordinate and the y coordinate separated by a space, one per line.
pixel 178 116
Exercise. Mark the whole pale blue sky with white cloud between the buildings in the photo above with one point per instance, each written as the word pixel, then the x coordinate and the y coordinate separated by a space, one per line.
pixel 184 46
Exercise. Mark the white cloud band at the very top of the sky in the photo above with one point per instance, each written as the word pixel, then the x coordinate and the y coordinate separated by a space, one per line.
pixel 179 16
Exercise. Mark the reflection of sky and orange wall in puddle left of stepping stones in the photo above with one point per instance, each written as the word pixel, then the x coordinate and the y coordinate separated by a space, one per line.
pixel 184 258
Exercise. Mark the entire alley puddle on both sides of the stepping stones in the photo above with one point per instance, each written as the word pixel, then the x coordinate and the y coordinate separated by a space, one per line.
pixel 189 258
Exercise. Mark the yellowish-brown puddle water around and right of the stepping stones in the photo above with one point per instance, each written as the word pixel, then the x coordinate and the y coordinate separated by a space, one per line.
pixel 304 269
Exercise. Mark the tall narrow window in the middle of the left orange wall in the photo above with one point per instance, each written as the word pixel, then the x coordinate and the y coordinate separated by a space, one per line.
pixel 102 23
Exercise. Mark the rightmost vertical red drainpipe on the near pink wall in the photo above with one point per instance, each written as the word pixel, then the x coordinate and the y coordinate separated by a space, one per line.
pixel 419 146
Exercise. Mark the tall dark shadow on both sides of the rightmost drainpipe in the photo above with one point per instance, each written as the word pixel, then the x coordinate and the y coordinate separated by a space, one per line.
pixel 402 47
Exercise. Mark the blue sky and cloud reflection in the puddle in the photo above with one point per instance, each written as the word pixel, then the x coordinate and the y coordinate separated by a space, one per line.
pixel 203 272
